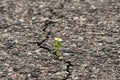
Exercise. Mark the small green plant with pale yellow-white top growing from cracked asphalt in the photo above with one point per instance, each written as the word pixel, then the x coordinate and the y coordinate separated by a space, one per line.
pixel 57 45
